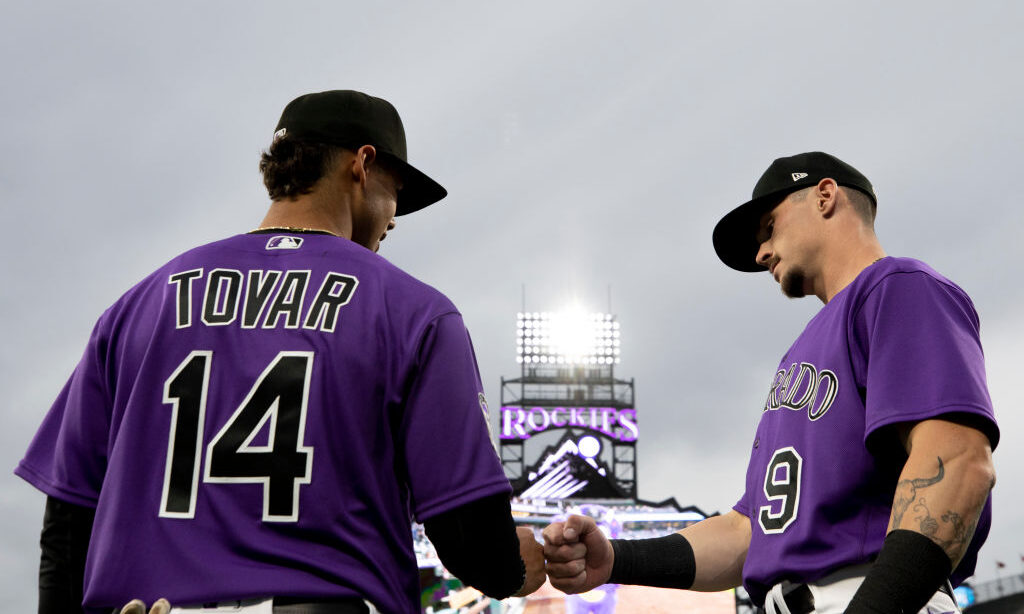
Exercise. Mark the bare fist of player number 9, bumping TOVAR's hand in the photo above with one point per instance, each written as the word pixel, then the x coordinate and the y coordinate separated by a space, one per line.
pixel 580 556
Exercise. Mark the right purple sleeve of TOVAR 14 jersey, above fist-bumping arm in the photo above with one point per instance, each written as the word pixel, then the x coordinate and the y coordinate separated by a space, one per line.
pixel 448 453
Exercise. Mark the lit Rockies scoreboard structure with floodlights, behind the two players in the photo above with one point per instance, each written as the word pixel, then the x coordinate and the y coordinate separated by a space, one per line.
pixel 568 435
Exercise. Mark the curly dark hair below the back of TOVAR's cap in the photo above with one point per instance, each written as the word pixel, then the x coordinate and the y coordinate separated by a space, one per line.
pixel 291 169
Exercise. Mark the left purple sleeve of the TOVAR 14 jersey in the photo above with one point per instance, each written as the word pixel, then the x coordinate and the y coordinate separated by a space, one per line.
pixel 67 459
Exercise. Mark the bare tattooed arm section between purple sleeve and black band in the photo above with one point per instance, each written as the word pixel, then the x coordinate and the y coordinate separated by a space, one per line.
pixel 945 484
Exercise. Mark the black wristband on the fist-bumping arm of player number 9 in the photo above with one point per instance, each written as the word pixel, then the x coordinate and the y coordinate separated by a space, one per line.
pixel 666 562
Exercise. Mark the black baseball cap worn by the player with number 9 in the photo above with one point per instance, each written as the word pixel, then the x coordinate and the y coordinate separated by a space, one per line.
pixel 736 235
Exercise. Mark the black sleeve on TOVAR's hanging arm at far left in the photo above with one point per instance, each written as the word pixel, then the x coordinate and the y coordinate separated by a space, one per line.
pixel 65 541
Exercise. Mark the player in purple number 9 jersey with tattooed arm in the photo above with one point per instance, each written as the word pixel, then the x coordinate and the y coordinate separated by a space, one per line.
pixel 868 489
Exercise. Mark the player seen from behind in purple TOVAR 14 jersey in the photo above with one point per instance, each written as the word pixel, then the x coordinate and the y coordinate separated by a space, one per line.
pixel 255 424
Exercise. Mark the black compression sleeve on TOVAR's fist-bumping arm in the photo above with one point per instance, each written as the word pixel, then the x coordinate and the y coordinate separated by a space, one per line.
pixel 479 544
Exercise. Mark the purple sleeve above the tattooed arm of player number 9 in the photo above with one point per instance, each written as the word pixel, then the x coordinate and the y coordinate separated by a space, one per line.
pixel 920 339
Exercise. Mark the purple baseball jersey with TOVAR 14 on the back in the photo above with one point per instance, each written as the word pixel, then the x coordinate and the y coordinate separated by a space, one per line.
pixel 265 416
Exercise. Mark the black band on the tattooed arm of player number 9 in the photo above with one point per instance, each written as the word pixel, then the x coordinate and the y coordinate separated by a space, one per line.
pixel 910 571
